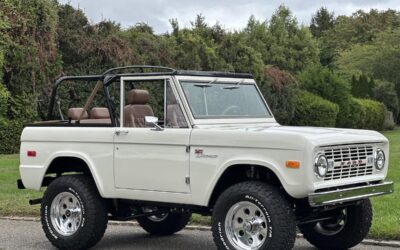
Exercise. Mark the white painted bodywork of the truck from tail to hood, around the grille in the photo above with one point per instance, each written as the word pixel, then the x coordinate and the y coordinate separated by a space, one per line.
pixel 268 145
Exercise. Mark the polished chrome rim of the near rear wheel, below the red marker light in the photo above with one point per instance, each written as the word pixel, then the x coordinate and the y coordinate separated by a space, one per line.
pixel 66 213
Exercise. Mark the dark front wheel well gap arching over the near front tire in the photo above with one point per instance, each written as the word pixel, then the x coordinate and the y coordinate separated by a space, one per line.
pixel 239 173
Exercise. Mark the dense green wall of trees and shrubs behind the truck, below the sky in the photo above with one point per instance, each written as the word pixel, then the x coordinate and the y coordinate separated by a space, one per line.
pixel 299 69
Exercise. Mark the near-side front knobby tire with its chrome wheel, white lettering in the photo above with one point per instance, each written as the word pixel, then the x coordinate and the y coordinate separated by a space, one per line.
pixel 253 210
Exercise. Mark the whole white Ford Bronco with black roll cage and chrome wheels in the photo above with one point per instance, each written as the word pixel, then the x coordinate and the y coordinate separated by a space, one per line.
pixel 154 144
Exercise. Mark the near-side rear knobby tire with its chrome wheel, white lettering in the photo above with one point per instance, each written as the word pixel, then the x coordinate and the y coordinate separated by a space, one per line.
pixel 73 214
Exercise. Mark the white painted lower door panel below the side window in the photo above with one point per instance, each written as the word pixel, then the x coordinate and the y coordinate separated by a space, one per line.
pixel 144 157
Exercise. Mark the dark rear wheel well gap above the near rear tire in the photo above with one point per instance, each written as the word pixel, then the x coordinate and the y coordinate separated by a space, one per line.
pixel 64 164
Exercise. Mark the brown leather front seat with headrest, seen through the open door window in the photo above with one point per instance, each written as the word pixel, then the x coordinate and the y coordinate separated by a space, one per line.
pixel 136 108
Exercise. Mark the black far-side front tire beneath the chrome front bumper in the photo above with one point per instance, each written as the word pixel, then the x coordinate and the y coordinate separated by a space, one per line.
pixel 353 229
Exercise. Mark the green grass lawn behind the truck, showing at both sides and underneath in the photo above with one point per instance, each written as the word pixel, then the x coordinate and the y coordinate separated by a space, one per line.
pixel 386 224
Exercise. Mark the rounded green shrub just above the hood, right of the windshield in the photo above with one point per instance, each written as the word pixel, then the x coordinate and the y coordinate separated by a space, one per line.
pixel 312 110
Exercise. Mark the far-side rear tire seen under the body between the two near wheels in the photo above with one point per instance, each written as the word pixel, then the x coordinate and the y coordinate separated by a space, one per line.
pixel 165 224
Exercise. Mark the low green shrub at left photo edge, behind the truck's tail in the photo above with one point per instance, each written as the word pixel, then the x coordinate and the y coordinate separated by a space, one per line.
pixel 10 132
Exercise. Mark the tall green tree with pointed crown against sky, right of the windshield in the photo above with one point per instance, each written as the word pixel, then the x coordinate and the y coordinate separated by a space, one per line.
pixel 281 41
